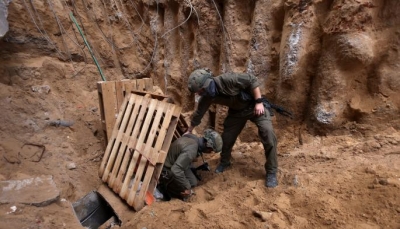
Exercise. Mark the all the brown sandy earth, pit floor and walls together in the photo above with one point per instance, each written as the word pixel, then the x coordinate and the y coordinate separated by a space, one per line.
pixel 344 76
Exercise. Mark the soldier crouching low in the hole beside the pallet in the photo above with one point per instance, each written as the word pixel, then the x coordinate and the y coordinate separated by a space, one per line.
pixel 177 179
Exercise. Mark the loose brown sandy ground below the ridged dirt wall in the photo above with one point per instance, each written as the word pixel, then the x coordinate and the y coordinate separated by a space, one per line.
pixel 348 181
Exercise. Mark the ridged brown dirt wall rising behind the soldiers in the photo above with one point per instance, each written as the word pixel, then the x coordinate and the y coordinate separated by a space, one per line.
pixel 329 62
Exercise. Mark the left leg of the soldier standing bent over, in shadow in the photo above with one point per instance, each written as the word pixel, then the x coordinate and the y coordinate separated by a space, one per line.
pixel 232 128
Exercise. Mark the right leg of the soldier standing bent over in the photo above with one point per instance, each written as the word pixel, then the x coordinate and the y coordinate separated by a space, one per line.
pixel 268 139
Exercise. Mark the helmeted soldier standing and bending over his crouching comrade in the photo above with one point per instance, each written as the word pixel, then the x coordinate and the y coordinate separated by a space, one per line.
pixel 241 93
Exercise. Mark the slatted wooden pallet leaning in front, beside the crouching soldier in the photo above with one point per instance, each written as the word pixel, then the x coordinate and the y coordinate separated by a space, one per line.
pixel 135 154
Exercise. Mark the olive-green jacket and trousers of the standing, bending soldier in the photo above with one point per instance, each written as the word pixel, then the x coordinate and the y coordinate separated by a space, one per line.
pixel 230 87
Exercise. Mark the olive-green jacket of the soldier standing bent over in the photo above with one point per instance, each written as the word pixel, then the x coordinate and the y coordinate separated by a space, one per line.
pixel 230 86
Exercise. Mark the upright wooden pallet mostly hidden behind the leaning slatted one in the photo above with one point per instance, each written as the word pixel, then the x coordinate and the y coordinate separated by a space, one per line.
pixel 111 96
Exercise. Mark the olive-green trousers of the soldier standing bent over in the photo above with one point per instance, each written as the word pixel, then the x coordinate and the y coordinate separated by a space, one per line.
pixel 234 124
